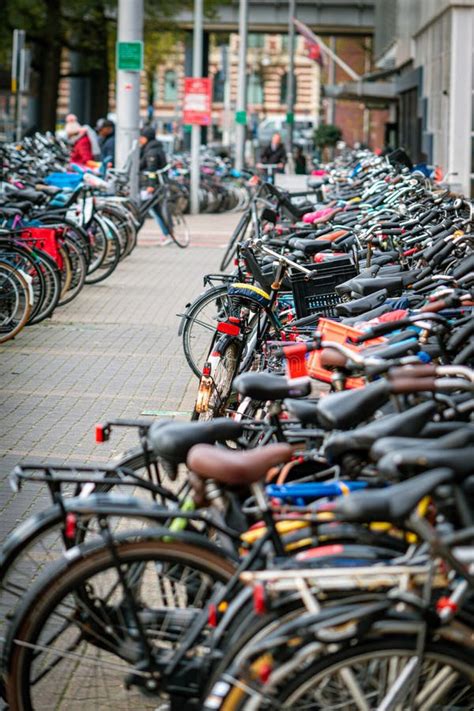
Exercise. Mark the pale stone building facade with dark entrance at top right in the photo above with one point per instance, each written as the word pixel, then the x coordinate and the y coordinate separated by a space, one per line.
pixel 425 49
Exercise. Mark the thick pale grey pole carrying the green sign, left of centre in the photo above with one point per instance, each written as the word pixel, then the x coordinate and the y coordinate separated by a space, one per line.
pixel 130 29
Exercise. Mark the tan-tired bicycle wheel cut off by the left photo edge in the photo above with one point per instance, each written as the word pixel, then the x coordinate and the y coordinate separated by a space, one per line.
pixel 15 302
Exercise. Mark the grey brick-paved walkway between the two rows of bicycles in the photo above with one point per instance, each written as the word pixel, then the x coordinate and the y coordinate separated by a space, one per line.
pixel 113 352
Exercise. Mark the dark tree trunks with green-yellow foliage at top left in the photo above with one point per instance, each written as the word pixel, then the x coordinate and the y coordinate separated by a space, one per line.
pixel 87 28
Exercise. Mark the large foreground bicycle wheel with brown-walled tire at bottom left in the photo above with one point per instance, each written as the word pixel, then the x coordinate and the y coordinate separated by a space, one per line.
pixel 76 642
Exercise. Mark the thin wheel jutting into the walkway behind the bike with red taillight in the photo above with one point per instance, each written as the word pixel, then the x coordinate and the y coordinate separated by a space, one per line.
pixel 199 325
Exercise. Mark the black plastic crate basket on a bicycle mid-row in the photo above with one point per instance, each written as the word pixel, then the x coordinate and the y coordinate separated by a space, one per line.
pixel 318 294
